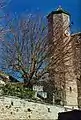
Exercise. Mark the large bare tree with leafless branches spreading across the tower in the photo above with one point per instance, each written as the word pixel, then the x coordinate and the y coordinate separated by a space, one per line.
pixel 29 51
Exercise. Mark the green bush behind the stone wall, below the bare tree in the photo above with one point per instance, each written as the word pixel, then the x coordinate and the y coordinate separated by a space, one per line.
pixel 17 90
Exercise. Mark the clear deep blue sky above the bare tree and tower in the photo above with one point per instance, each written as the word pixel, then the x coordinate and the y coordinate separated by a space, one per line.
pixel 46 6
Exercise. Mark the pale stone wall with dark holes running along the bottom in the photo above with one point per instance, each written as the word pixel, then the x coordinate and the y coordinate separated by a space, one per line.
pixel 15 108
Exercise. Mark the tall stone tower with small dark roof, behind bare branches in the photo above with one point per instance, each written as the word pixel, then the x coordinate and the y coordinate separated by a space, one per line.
pixel 62 70
